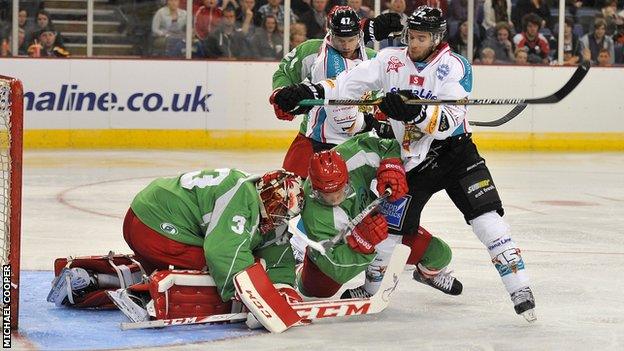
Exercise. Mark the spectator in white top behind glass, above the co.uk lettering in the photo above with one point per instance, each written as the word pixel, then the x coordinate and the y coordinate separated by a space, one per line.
pixel 168 29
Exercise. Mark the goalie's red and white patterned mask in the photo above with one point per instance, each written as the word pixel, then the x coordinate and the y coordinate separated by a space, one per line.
pixel 281 193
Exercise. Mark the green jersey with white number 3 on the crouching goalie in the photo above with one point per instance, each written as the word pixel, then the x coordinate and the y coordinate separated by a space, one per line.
pixel 219 210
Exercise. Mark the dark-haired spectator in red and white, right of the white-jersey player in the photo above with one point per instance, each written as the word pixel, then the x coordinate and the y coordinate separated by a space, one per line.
pixel 536 44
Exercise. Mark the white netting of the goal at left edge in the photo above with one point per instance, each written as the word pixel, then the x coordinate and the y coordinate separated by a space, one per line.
pixel 5 169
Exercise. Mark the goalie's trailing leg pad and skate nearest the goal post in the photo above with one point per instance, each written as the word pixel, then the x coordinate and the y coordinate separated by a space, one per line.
pixel 99 275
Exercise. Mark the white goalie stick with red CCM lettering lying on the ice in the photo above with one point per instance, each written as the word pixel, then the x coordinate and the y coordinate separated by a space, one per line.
pixel 312 309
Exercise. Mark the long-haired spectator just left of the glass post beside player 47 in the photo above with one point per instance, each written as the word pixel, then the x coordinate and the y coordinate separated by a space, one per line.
pixel 268 42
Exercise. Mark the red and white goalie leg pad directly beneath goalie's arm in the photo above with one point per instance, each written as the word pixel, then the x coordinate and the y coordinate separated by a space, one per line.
pixel 180 294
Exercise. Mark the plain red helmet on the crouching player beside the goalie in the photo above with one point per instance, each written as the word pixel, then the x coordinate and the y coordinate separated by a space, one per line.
pixel 329 177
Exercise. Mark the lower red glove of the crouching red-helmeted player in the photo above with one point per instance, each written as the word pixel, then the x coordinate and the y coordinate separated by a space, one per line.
pixel 371 231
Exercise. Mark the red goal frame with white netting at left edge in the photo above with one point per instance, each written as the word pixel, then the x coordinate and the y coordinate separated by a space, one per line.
pixel 11 132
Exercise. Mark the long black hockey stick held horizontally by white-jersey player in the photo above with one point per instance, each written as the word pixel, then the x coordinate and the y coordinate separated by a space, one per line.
pixel 576 78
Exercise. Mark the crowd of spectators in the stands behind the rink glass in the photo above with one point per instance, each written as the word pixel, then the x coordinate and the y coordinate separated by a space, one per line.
pixel 505 31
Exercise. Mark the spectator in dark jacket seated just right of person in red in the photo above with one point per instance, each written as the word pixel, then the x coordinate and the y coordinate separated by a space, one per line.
pixel 227 41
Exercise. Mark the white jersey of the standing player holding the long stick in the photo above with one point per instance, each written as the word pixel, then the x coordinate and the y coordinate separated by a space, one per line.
pixel 446 75
